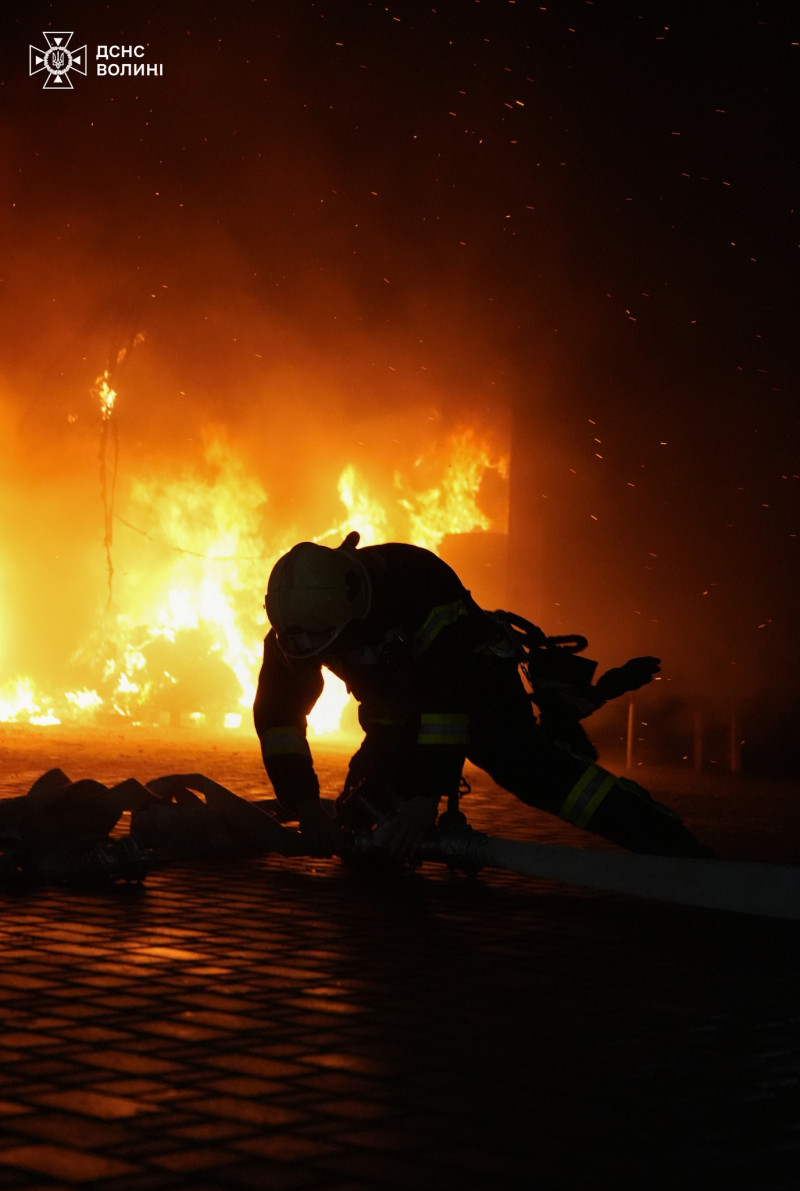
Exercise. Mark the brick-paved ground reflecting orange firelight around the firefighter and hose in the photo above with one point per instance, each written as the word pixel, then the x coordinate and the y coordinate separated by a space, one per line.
pixel 284 1025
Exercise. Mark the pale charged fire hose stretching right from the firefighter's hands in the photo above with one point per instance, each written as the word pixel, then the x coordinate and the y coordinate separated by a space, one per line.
pixel 740 887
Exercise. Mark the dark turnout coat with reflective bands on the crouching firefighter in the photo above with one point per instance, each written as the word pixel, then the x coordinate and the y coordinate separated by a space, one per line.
pixel 409 666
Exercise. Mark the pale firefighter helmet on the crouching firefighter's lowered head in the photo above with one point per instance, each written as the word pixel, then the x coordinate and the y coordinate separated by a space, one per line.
pixel 314 594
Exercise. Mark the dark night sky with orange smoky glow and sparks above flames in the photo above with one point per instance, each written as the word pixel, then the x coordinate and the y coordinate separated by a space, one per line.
pixel 573 220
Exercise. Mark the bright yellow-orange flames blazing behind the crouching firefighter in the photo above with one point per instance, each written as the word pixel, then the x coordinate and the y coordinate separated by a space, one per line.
pixel 180 638
